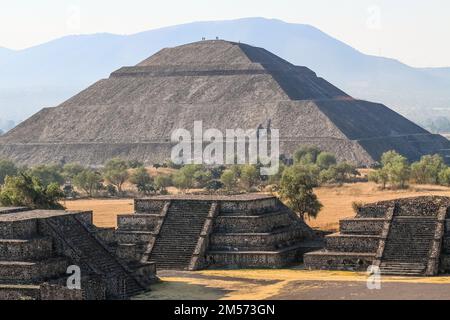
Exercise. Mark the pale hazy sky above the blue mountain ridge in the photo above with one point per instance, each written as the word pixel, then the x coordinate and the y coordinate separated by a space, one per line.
pixel 416 32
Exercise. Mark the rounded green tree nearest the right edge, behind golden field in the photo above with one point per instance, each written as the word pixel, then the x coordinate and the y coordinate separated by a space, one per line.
pixel 427 170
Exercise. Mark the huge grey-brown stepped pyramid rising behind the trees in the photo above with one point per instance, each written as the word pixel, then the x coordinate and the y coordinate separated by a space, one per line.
pixel 226 85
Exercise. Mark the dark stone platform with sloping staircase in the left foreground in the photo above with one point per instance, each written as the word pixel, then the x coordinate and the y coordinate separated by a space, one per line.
pixel 37 247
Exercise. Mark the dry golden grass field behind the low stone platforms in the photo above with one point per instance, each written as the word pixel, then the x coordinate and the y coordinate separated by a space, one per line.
pixel 337 203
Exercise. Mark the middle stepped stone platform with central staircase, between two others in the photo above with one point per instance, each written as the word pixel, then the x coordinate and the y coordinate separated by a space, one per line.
pixel 195 232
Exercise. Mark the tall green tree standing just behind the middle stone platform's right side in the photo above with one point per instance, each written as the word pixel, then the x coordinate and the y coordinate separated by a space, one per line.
pixel 296 189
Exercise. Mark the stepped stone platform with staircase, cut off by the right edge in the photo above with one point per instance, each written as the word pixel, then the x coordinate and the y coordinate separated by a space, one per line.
pixel 402 237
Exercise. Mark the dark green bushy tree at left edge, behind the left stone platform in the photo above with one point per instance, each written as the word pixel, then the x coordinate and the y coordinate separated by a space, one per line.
pixel 28 191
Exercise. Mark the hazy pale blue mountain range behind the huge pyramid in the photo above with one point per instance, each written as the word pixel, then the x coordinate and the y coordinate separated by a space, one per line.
pixel 48 74
